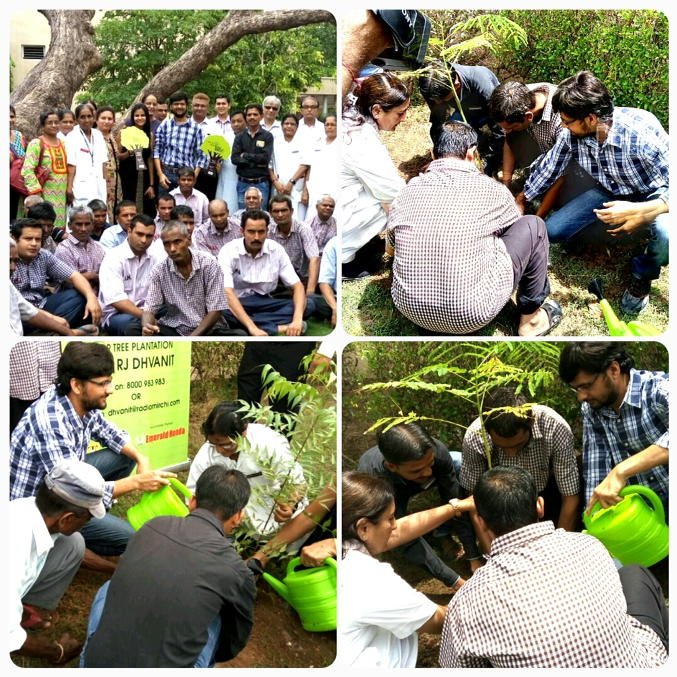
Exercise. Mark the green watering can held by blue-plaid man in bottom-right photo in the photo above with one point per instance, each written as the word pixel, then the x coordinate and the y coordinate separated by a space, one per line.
pixel 633 531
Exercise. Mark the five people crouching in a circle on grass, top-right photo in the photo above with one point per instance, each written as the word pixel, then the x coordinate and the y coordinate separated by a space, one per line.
pixel 471 230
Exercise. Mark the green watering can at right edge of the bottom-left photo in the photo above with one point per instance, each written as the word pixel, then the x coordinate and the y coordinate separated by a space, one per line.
pixel 312 593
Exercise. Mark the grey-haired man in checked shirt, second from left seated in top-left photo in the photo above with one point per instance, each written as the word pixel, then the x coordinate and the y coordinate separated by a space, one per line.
pixel 78 249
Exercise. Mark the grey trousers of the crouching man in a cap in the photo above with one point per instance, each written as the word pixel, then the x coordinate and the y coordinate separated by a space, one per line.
pixel 62 563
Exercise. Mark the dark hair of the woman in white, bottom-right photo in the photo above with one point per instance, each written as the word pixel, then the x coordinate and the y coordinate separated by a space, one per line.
pixel 362 496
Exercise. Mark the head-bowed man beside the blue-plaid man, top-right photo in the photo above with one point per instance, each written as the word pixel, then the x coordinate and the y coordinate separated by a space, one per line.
pixel 525 114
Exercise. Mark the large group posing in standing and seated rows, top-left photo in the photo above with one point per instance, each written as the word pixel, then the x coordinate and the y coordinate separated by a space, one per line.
pixel 163 237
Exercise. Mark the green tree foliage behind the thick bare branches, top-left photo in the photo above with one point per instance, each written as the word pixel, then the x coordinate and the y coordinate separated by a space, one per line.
pixel 138 44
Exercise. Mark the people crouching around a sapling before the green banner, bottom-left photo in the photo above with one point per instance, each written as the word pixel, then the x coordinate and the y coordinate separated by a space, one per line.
pixel 181 596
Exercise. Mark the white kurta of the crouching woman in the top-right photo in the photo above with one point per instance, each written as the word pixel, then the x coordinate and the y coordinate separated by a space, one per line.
pixel 367 179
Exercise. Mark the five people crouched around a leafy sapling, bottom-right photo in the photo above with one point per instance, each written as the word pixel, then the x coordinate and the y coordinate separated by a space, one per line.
pixel 512 500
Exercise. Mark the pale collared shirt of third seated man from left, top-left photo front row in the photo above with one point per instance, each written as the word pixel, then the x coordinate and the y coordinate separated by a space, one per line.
pixel 124 276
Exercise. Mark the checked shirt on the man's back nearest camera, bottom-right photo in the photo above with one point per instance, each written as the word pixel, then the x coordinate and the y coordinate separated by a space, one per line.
pixel 546 598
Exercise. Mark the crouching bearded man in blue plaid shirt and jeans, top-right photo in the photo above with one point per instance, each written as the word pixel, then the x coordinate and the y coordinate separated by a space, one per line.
pixel 626 151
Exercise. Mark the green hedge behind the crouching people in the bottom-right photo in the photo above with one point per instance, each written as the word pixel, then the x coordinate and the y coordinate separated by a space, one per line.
pixel 369 362
